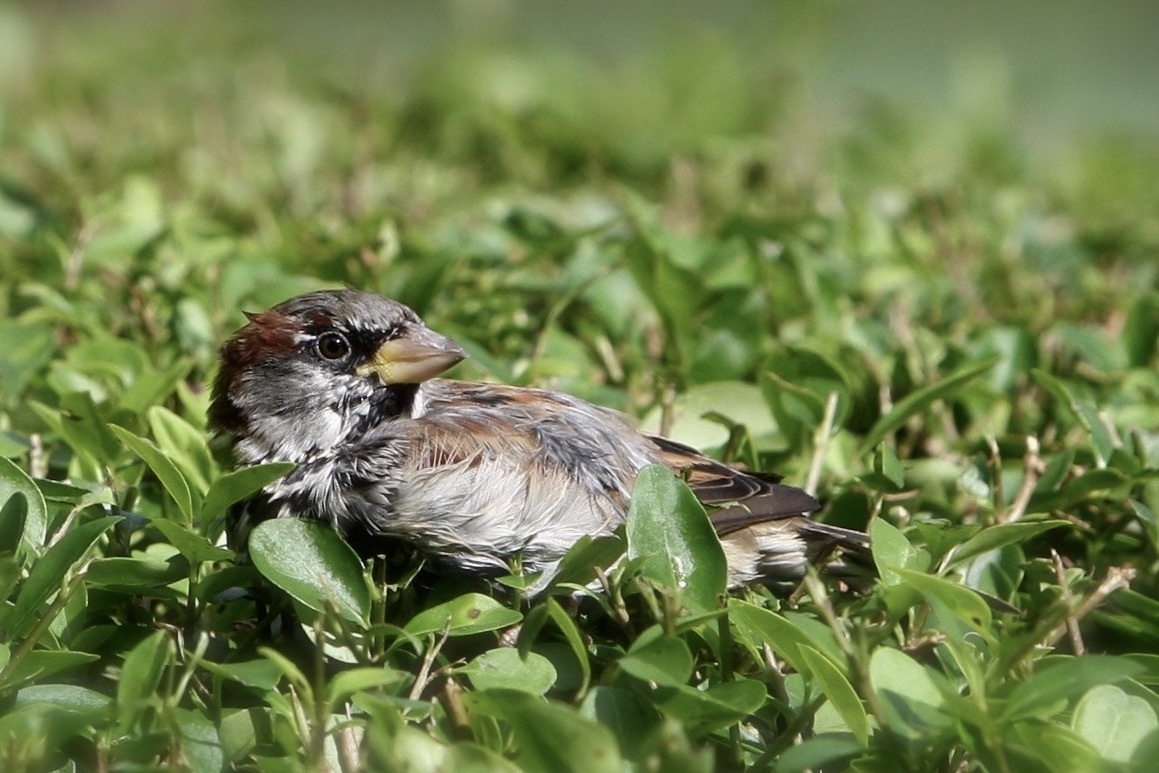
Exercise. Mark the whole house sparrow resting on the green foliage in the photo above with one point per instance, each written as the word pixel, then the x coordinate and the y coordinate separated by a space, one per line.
pixel 473 476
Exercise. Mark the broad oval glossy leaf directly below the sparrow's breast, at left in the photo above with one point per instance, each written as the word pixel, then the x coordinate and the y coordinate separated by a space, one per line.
pixel 312 564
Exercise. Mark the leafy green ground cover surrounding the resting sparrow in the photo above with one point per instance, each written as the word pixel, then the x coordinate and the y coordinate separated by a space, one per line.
pixel 954 347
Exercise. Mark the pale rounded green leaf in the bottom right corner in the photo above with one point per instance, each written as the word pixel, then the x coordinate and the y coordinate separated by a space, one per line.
pixel 1116 724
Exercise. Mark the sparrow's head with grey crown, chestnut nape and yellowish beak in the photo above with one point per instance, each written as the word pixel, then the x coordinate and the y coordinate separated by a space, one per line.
pixel 300 378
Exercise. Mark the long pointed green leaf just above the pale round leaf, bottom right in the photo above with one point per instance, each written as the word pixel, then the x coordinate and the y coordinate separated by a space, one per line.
pixel 1063 680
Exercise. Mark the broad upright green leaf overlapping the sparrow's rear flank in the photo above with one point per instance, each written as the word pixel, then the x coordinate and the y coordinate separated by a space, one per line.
pixel 669 531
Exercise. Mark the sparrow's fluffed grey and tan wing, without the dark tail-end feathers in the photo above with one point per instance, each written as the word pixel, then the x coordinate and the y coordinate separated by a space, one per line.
pixel 492 472
